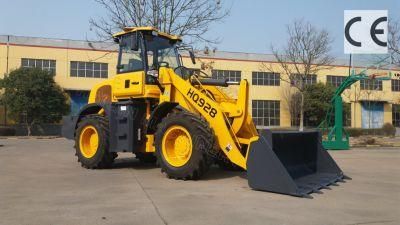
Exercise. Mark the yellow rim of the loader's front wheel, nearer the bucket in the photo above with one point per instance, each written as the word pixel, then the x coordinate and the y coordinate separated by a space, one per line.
pixel 177 146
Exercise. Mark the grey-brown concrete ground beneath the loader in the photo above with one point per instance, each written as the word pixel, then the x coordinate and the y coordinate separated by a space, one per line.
pixel 41 183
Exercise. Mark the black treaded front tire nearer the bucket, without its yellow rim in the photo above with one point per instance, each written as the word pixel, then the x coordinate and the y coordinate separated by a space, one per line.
pixel 203 143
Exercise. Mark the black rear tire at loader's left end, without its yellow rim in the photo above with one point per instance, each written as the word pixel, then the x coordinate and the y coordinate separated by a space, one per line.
pixel 102 158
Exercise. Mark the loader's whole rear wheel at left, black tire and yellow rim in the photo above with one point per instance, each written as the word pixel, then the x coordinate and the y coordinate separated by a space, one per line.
pixel 92 143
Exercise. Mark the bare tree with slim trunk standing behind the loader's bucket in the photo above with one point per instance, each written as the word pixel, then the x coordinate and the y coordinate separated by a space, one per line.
pixel 305 54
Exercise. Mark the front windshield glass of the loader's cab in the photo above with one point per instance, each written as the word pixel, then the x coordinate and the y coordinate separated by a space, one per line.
pixel 161 52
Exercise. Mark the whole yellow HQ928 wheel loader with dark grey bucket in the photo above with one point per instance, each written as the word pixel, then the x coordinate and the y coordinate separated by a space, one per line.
pixel 162 111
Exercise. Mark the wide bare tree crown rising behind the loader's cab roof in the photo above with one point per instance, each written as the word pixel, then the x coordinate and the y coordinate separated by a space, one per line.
pixel 190 18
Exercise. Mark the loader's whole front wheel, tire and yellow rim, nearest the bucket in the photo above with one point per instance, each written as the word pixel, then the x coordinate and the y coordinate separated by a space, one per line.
pixel 183 142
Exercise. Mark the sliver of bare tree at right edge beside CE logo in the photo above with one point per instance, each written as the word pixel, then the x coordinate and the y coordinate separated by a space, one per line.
pixel 394 41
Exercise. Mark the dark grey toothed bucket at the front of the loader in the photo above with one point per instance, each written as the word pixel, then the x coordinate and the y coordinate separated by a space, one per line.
pixel 292 163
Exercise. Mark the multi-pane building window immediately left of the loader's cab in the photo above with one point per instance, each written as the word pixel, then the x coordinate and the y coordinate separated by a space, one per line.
pixel 89 69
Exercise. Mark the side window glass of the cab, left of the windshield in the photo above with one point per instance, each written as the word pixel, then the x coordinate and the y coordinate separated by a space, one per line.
pixel 130 60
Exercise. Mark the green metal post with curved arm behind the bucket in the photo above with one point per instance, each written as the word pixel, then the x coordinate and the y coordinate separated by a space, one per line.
pixel 335 136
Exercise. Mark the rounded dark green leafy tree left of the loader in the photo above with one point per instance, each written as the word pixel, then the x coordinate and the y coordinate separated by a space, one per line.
pixel 33 97
